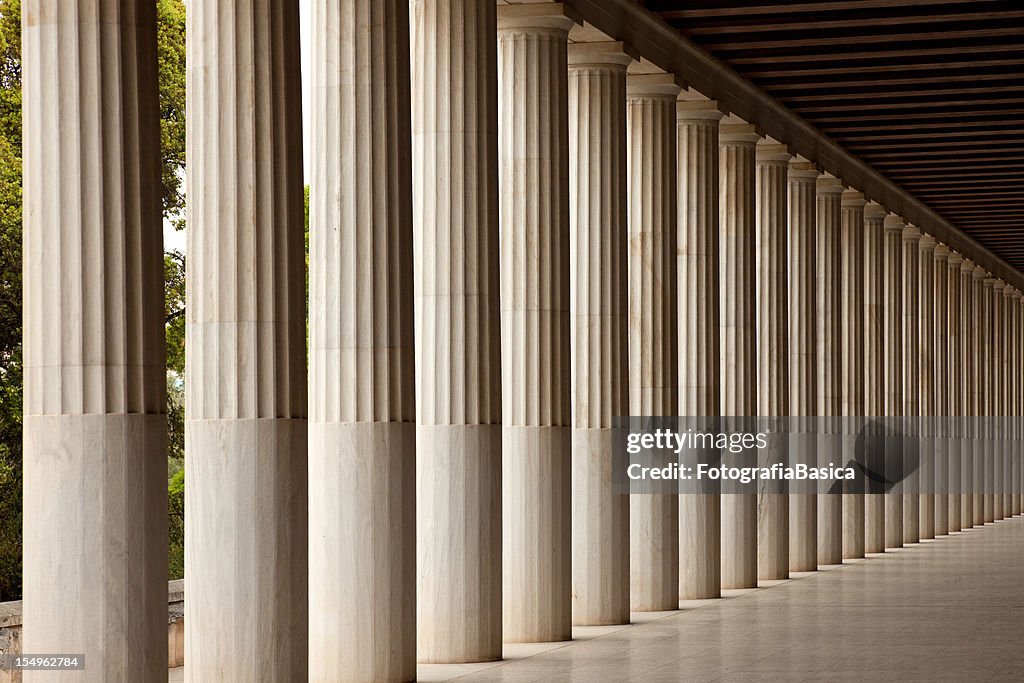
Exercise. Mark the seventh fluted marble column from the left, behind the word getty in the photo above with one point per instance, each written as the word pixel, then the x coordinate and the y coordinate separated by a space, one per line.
pixel 651 111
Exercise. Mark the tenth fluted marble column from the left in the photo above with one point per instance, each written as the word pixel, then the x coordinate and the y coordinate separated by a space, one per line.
pixel 774 349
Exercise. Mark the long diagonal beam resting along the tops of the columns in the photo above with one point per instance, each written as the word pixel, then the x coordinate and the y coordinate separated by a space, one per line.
pixel 665 48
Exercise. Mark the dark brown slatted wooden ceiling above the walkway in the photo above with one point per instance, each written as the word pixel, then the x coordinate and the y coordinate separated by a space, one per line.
pixel 929 93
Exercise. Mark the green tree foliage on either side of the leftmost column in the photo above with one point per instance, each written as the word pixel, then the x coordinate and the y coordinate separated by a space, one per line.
pixel 172 49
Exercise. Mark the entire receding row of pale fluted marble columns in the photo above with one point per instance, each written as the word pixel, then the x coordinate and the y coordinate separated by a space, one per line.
pixel 521 231
